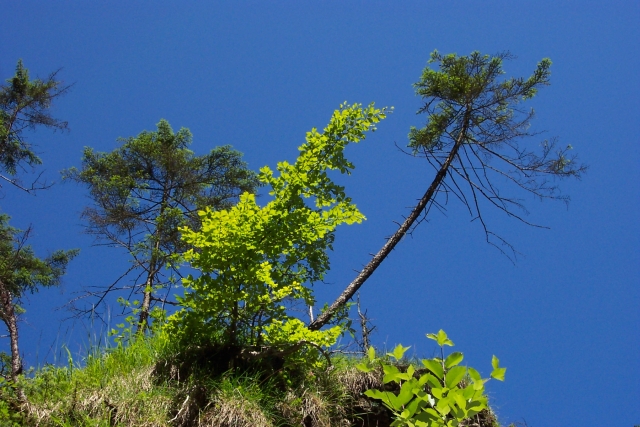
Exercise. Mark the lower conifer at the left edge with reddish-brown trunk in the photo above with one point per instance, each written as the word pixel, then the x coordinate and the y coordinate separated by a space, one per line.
pixel 21 272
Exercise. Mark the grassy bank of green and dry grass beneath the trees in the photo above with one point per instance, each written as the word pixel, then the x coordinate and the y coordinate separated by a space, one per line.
pixel 142 383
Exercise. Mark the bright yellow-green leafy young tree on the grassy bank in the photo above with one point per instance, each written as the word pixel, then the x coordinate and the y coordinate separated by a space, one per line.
pixel 256 262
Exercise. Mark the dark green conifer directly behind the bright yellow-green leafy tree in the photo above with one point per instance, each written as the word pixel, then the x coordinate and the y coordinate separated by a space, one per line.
pixel 148 188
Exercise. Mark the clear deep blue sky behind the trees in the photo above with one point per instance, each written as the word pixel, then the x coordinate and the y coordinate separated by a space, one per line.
pixel 564 319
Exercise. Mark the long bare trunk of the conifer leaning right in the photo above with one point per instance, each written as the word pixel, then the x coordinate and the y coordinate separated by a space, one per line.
pixel 386 249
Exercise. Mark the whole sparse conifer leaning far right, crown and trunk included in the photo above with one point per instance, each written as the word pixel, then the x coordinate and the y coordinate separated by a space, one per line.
pixel 474 140
